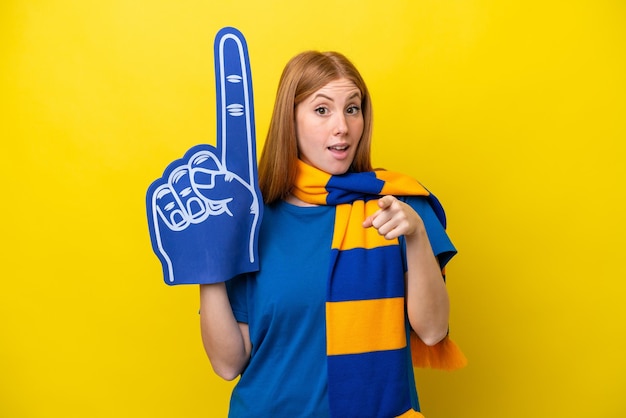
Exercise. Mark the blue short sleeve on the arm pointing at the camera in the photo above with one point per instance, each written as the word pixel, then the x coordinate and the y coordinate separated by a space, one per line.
pixel 439 240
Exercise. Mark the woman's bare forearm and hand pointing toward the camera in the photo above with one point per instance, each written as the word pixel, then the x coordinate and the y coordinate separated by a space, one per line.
pixel 427 300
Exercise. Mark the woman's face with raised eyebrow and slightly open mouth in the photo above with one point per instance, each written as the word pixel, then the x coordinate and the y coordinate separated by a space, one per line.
pixel 329 125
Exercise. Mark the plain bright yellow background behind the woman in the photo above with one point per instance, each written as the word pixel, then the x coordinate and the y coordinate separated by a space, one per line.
pixel 513 112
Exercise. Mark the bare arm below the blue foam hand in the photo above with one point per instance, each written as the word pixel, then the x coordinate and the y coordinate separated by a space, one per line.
pixel 226 341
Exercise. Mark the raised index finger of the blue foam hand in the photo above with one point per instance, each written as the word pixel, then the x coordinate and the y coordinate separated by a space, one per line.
pixel 235 106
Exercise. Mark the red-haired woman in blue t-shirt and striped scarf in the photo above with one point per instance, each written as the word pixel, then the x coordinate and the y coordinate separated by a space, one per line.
pixel 347 272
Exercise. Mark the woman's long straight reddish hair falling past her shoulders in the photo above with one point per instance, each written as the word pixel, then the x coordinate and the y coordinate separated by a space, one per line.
pixel 303 75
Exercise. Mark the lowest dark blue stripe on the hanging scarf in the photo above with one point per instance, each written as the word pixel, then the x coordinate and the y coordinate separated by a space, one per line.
pixel 361 373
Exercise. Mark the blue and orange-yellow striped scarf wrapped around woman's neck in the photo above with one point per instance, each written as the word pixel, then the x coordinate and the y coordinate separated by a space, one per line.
pixel 367 331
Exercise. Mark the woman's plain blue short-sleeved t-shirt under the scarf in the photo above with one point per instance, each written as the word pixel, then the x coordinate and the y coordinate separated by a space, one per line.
pixel 284 307
